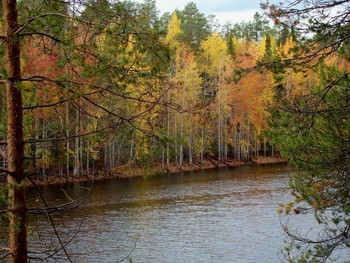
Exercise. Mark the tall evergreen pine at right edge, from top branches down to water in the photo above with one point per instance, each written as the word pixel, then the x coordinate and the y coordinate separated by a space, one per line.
pixel 312 129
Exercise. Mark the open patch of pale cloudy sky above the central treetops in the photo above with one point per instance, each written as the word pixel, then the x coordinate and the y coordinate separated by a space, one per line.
pixel 224 10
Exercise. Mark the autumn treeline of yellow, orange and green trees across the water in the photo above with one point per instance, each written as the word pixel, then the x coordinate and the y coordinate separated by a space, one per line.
pixel 106 84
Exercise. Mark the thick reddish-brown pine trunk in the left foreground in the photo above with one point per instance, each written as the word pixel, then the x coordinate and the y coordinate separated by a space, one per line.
pixel 15 153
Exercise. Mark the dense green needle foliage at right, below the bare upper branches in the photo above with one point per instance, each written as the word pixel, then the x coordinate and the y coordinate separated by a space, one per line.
pixel 313 132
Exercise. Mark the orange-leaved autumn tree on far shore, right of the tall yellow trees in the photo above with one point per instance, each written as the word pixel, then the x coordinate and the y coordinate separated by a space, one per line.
pixel 250 96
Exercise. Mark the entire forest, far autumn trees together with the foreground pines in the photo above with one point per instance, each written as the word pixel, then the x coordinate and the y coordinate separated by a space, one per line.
pixel 96 85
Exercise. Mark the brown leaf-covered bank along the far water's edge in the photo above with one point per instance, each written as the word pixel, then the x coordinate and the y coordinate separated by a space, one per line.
pixel 147 171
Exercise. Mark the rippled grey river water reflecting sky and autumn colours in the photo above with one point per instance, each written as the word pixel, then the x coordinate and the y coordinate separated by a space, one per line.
pixel 225 215
